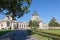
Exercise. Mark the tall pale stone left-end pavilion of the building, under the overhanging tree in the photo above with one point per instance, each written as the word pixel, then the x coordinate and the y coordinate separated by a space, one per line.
pixel 7 23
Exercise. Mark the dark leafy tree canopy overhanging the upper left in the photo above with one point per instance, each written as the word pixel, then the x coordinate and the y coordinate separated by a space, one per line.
pixel 15 8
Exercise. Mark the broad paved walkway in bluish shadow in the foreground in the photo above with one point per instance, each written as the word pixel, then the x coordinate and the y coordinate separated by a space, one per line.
pixel 17 35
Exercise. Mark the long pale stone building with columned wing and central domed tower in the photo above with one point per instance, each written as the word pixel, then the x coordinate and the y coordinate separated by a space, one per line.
pixel 9 23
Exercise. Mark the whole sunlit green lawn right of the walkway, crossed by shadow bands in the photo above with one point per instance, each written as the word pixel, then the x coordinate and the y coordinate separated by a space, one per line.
pixel 49 32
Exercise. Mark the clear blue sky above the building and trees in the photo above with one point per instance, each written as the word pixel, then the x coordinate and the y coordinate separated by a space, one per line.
pixel 46 9
